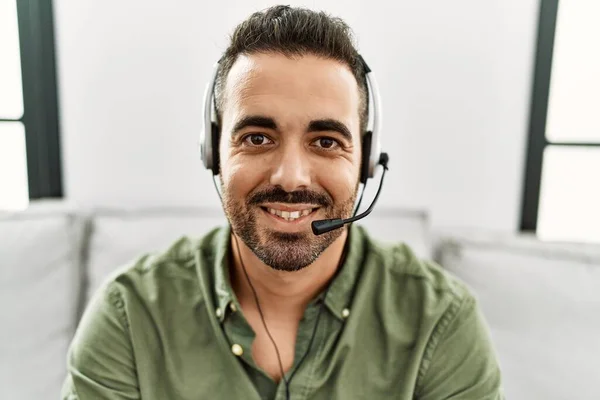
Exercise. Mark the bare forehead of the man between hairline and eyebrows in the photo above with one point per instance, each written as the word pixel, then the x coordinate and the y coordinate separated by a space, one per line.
pixel 291 89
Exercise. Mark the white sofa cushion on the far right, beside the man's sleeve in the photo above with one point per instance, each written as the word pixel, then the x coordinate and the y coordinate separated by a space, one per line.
pixel 542 303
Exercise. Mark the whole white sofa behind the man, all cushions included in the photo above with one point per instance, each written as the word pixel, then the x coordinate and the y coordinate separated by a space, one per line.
pixel 541 301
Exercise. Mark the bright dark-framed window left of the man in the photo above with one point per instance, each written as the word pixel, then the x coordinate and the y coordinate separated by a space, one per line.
pixel 29 141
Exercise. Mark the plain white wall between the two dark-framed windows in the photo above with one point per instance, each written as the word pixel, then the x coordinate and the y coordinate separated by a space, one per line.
pixel 455 79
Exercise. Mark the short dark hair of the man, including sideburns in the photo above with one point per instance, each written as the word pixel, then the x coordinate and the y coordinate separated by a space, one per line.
pixel 294 32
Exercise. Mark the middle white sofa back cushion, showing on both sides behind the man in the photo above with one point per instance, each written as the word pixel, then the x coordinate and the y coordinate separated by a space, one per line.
pixel 118 236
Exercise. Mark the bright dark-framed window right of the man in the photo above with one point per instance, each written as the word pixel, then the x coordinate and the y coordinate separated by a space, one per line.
pixel 562 183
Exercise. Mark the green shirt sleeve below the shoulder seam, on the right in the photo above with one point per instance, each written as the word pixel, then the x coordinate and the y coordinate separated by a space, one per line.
pixel 460 362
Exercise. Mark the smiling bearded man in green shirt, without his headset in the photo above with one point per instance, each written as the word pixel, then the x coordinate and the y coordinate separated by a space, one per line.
pixel 265 309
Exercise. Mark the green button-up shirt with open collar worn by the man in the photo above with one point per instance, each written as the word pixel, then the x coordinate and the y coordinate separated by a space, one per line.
pixel 392 327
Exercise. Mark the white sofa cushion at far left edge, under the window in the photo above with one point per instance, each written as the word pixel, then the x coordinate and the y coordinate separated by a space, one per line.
pixel 40 277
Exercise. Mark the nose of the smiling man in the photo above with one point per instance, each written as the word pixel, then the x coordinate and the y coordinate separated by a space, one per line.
pixel 292 171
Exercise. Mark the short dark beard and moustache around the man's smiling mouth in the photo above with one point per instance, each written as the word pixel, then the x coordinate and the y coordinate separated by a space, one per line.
pixel 283 251
